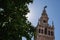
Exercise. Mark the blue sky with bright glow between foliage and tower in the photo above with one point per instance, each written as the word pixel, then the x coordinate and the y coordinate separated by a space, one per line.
pixel 53 11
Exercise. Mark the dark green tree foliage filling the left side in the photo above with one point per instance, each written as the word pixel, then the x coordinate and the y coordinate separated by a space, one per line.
pixel 13 21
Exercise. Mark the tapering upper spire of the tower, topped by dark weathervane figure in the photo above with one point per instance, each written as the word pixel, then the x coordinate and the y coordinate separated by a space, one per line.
pixel 44 17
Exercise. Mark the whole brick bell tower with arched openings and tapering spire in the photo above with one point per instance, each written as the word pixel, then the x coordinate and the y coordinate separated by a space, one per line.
pixel 44 31
